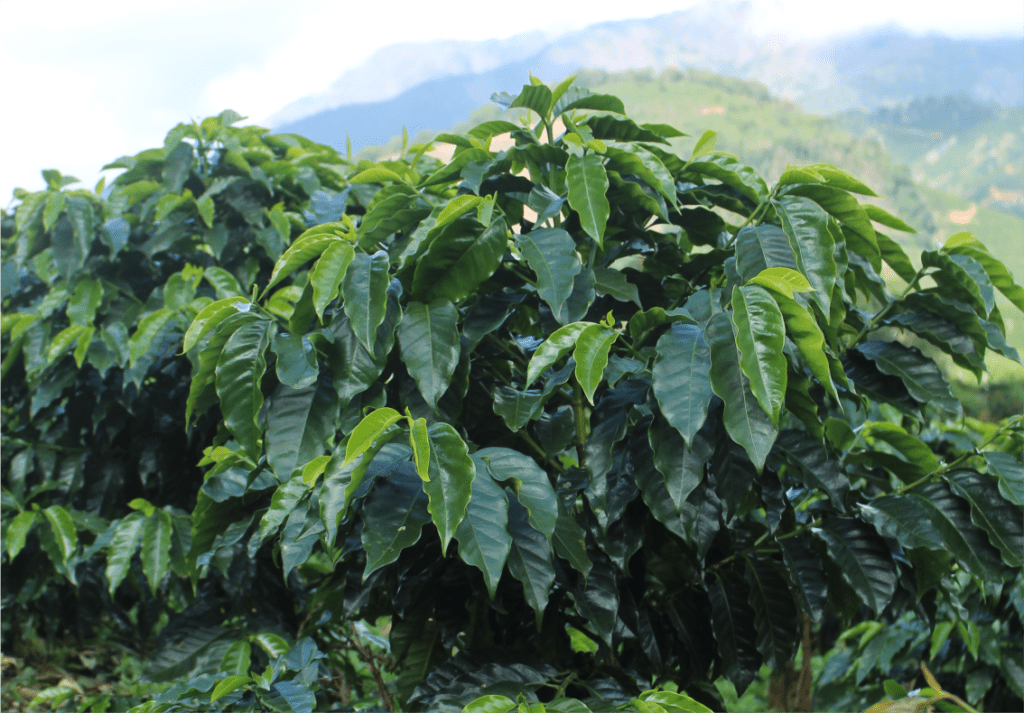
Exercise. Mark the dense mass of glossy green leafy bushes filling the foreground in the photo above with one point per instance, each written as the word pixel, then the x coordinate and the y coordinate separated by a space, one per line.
pixel 581 418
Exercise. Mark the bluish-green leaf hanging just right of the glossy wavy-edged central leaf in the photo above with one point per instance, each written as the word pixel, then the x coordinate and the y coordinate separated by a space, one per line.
pixel 484 540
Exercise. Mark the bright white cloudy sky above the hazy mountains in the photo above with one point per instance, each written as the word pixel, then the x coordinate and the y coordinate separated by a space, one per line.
pixel 90 81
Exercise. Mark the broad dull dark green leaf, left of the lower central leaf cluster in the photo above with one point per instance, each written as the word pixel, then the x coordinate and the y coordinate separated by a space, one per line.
pixel 300 422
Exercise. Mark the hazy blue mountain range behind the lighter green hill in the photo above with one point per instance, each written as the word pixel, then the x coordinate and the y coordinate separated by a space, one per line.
pixel 434 86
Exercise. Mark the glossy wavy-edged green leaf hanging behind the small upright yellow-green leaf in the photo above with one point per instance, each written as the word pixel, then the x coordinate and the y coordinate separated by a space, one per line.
pixel 451 484
